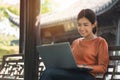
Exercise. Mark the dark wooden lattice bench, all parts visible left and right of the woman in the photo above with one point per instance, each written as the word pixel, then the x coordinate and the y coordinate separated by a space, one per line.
pixel 13 66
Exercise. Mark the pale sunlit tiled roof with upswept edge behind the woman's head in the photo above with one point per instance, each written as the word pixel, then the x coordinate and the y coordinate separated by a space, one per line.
pixel 72 11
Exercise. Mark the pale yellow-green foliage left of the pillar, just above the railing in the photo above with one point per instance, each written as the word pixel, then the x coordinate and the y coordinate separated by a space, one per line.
pixel 5 47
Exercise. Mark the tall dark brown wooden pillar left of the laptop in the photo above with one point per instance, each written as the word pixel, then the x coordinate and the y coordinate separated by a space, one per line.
pixel 29 10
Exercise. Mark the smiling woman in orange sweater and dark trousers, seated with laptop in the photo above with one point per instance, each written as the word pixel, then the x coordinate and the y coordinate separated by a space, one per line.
pixel 89 50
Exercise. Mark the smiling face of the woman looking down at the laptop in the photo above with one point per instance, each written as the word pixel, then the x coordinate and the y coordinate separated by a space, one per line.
pixel 85 27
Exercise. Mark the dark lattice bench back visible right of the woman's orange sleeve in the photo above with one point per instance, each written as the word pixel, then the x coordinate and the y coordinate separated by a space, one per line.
pixel 113 71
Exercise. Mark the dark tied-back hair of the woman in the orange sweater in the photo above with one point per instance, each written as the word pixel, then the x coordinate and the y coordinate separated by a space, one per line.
pixel 90 15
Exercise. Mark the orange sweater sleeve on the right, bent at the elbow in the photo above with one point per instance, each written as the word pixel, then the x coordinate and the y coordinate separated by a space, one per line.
pixel 103 58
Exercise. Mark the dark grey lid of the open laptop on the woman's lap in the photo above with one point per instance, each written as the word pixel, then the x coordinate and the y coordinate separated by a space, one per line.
pixel 58 55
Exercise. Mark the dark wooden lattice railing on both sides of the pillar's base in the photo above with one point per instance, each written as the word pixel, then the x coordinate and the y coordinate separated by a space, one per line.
pixel 13 67
